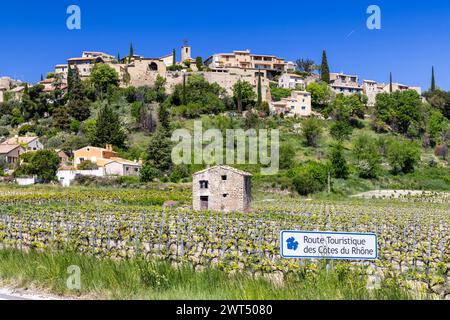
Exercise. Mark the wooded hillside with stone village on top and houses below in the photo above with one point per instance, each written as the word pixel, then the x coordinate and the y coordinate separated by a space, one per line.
pixel 99 115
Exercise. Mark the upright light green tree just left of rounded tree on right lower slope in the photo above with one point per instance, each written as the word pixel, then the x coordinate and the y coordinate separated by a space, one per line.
pixel 367 156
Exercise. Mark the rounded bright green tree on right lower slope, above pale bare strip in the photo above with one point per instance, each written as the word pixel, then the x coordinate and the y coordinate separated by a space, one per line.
pixel 403 155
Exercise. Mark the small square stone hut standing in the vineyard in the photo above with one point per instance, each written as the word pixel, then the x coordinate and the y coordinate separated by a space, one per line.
pixel 221 188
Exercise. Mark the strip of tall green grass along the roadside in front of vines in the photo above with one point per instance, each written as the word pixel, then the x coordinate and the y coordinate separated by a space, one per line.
pixel 139 279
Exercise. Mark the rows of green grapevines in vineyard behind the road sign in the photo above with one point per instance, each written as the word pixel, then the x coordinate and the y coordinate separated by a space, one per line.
pixel 414 235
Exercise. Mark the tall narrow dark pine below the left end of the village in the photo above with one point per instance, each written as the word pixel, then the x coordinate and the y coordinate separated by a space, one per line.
pixel 78 105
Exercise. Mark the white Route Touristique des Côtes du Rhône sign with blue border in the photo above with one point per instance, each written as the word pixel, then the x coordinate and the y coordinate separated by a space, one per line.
pixel 329 245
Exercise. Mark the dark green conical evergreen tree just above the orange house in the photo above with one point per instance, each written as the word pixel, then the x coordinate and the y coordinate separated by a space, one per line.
pixel 108 129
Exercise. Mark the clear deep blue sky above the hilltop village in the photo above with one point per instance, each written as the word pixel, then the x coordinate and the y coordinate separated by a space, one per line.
pixel 414 34
